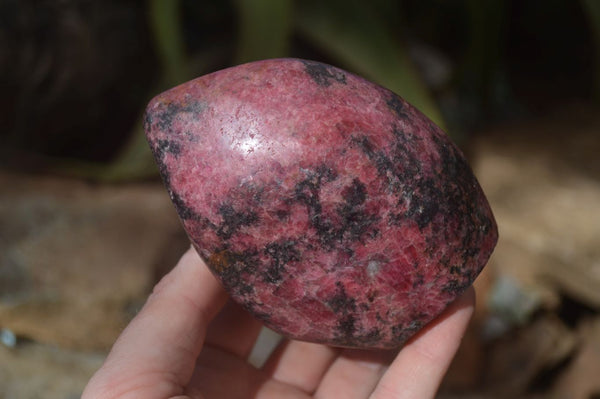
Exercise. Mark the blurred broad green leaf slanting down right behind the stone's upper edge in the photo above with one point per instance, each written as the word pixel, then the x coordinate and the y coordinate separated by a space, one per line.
pixel 351 32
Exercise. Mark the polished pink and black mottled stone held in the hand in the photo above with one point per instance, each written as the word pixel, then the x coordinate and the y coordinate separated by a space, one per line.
pixel 328 206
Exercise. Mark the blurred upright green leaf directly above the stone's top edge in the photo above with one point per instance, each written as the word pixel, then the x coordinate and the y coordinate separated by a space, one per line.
pixel 264 29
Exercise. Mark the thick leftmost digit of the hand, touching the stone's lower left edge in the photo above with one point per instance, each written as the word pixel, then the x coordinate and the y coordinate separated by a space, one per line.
pixel 155 355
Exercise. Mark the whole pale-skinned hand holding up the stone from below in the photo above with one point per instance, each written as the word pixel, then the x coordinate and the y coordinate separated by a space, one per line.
pixel 190 342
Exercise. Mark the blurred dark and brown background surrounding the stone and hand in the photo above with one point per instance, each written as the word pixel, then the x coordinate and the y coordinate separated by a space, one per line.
pixel 86 227
